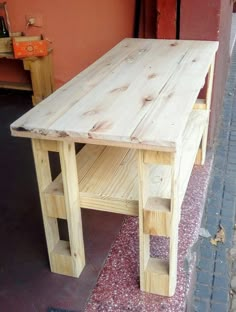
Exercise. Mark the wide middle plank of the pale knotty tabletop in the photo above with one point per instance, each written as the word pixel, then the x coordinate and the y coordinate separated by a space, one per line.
pixel 140 79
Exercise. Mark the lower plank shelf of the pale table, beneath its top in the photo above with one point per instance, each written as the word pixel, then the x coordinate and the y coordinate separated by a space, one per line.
pixel 108 178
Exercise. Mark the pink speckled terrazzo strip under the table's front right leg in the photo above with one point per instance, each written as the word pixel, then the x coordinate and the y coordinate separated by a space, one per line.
pixel 117 288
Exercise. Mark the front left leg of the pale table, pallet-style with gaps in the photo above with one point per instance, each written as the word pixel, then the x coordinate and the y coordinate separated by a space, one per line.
pixel 65 257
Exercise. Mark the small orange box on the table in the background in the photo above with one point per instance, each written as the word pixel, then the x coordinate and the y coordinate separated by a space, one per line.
pixel 29 46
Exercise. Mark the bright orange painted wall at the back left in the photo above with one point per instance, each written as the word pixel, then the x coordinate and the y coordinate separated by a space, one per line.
pixel 80 31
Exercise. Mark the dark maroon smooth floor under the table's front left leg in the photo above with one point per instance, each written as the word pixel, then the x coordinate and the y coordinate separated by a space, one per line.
pixel 26 283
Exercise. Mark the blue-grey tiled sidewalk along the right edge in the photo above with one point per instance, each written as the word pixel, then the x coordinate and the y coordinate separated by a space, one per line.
pixel 216 264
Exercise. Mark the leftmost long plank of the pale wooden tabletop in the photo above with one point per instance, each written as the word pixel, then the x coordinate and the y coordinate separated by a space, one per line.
pixel 68 95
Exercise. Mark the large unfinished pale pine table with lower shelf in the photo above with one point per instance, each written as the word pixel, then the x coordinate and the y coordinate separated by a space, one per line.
pixel 136 109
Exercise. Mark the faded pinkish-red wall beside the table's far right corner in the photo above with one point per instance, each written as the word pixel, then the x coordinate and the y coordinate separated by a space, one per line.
pixel 210 20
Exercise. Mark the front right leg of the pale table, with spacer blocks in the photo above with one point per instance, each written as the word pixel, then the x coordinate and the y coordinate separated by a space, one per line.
pixel 159 215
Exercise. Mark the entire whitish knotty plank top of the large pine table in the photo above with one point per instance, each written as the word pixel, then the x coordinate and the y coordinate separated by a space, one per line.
pixel 144 85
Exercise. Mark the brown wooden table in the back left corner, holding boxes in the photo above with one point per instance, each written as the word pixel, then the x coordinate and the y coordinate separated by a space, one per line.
pixel 41 74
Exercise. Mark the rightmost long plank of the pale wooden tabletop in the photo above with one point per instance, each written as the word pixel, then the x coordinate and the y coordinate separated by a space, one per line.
pixel 175 114
